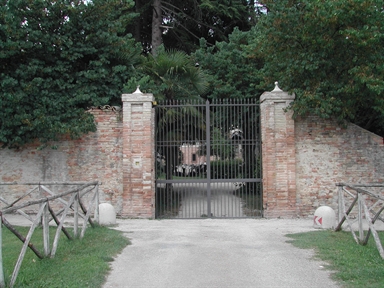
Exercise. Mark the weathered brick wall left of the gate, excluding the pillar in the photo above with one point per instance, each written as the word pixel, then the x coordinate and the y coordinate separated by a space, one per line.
pixel 96 156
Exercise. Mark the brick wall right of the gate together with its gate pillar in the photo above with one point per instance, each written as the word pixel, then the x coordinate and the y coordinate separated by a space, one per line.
pixel 303 159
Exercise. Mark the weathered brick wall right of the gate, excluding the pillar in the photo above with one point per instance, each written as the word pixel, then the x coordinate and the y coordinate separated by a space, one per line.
pixel 327 153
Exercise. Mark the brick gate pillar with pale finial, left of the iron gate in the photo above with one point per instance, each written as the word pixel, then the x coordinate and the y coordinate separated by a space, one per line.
pixel 138 155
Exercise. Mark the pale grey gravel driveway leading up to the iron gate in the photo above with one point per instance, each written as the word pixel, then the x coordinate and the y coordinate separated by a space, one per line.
pixel 215 253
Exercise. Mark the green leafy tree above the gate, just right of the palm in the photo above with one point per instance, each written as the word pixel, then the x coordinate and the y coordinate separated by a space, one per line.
pixel 233 68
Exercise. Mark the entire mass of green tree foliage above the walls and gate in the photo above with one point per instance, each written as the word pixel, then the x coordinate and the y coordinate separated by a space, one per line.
pixel 59 57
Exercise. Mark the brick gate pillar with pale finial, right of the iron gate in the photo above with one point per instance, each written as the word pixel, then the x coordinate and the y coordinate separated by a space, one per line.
pixel 278 151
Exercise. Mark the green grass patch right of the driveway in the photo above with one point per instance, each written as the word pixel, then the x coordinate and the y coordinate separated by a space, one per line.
pixel 353 265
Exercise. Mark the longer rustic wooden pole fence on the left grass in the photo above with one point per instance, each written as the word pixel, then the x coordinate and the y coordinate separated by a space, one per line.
pixel 48 206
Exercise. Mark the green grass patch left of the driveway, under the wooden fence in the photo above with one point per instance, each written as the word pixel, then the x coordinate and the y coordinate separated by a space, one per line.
pixel 77 263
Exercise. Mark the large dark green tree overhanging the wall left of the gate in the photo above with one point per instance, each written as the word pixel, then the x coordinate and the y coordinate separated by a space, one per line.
pixel 58 58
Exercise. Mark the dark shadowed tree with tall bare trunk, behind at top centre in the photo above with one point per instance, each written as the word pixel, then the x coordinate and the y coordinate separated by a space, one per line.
pixel 181 24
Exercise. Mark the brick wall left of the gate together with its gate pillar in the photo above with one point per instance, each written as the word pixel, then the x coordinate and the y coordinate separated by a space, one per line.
pixel 120 155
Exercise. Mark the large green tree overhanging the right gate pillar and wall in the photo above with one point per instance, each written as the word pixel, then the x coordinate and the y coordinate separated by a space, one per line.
pixel 330 53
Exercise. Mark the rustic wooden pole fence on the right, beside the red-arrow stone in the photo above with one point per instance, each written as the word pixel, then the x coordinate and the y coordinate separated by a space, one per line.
pixel 358 205
